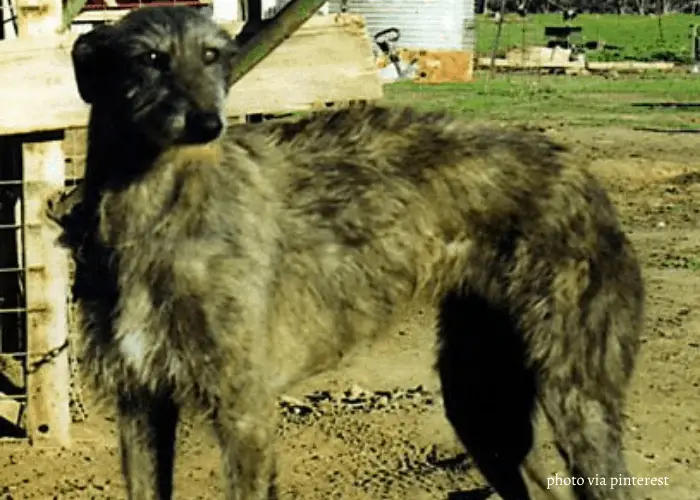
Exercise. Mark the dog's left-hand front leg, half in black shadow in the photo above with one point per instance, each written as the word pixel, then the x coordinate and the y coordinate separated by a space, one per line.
pixel 147 431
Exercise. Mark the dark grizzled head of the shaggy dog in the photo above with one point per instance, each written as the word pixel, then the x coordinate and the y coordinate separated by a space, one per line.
pixel 164 72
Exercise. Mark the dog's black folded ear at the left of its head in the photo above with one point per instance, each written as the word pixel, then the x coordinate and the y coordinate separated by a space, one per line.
pixel 89 57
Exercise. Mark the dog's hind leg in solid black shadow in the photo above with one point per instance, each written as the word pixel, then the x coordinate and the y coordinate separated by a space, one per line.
pixel 489 395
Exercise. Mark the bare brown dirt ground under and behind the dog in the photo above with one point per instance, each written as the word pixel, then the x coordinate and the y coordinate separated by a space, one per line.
pixel 374 428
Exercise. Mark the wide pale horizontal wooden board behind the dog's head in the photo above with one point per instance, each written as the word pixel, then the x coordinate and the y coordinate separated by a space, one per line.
pixel 329 59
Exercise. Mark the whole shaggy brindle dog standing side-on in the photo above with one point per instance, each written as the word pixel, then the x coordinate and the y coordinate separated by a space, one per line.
pixel 217 266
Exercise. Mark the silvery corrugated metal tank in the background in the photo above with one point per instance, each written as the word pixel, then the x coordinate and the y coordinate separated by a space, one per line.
pixel 424 24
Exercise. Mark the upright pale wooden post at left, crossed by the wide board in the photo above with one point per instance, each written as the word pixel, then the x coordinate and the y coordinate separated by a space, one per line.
pixel 48 375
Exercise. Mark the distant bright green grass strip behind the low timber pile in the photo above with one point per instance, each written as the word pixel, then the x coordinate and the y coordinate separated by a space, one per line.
pixel 639 37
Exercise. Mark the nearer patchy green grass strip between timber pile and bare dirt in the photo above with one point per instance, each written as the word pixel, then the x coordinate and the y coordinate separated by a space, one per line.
pixel 560 100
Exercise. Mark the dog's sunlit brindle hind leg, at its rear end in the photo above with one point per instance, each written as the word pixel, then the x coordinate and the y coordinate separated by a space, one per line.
pixel 582 392
